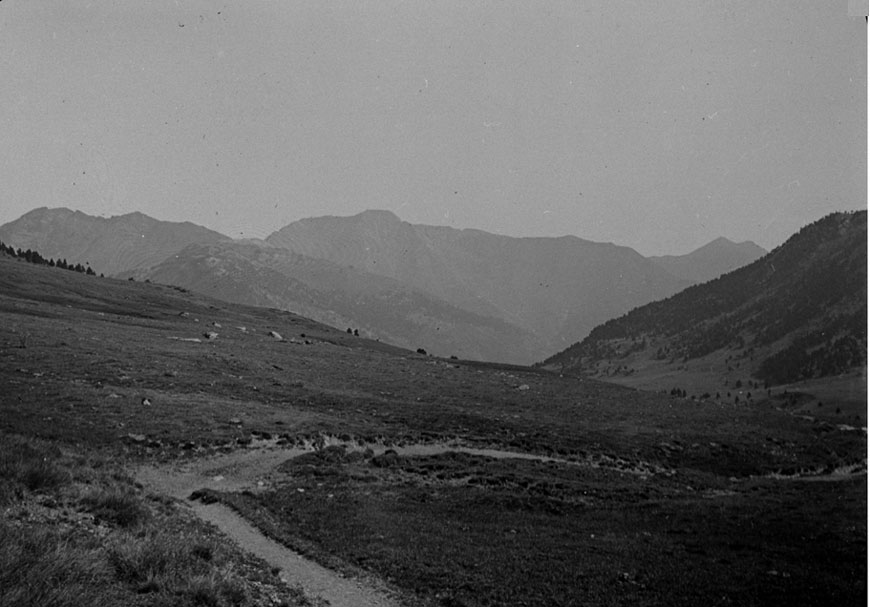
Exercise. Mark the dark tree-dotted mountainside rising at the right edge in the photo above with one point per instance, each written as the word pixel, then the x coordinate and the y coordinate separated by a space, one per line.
pixel 798 312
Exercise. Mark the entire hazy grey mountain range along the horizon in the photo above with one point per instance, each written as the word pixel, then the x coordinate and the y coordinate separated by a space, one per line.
pixel 467 293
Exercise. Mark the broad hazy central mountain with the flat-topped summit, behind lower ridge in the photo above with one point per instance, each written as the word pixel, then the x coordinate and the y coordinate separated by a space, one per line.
pixel 557 288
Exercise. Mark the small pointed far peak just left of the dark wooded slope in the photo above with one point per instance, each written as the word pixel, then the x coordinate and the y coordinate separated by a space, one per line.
pixel 710 261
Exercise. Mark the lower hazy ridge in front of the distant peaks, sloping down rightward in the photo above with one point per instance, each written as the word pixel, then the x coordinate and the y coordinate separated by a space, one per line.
pixel 378 307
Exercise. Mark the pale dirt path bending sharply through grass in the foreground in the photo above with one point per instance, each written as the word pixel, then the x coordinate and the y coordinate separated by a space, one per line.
pixel 243 470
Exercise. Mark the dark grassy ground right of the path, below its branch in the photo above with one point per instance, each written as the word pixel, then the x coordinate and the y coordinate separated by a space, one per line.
pixel 468 530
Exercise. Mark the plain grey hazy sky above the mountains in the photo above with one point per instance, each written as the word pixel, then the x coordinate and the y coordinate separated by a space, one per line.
pixel 657 125
